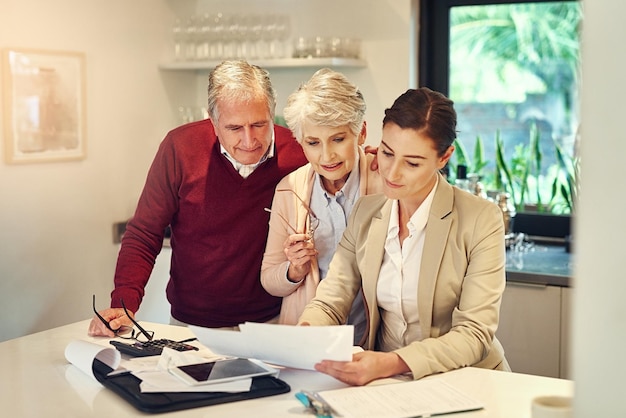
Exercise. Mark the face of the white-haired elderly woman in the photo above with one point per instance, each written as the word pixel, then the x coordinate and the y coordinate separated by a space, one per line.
pixel 332 152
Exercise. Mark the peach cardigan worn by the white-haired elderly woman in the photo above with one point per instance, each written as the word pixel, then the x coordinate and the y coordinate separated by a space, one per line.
pixel 274 266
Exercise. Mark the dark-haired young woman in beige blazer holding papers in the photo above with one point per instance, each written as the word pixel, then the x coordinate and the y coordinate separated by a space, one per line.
pixel 429 257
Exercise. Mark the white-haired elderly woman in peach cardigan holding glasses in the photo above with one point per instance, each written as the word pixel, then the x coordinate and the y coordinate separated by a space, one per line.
pixel 311 205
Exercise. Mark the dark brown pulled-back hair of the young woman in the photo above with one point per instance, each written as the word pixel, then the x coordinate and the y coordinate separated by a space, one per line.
pixel 427 111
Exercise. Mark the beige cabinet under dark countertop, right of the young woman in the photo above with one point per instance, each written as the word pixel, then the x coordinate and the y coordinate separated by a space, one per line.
pixel 531 328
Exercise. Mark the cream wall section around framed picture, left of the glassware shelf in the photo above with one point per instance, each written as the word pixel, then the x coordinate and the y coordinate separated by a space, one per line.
pixel 56 218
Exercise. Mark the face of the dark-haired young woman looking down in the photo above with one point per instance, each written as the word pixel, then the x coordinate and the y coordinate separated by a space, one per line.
pixel 408 163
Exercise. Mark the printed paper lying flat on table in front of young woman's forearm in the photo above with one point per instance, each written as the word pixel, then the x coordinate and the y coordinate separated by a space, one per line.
pixel 419 398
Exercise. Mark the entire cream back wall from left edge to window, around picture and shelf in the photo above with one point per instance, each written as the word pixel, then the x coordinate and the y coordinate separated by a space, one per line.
pixel 56 218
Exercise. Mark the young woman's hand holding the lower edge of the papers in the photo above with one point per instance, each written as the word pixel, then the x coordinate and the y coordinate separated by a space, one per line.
pixel 364 367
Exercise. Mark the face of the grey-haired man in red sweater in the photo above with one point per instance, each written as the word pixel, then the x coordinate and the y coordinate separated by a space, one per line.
pixel 244 129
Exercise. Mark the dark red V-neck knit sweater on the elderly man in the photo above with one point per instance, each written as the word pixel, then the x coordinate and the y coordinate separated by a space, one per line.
pixel 219 229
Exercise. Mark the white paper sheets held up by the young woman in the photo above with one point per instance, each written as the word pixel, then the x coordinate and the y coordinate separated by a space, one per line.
pixel 284 345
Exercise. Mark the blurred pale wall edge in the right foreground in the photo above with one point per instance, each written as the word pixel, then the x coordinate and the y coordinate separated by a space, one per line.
pixel 599 334
